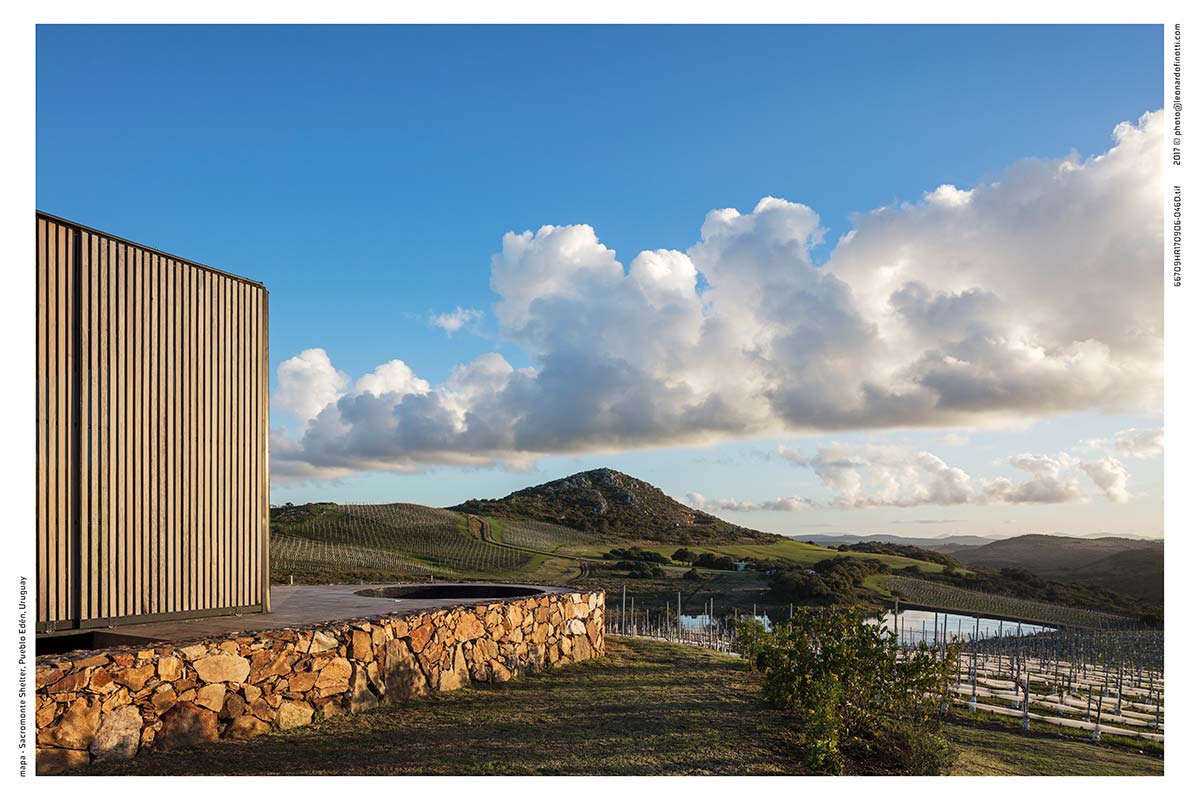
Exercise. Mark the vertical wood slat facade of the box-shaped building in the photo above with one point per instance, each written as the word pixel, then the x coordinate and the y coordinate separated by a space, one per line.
pixel 152 435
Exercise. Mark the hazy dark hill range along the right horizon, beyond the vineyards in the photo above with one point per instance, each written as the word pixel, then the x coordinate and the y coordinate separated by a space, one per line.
pixel 1131 567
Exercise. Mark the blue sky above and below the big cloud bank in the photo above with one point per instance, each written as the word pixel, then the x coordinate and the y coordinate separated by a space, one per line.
pixel 368 176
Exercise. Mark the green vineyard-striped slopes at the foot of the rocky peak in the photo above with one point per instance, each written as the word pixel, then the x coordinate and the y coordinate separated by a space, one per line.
pixel 331 544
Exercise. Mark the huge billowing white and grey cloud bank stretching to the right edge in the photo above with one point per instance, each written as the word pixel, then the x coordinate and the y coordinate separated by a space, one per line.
pixel 1036 294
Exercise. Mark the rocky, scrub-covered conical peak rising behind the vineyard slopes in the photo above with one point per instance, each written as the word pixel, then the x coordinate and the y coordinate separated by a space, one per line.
pixel 614 504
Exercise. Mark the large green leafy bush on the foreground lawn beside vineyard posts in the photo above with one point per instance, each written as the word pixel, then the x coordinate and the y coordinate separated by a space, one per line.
pixel 853 693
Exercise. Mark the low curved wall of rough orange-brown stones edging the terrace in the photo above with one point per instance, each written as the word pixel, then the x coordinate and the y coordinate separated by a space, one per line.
pixel 111 705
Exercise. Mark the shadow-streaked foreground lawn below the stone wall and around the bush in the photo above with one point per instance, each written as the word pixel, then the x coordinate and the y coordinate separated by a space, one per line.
pixel 645 709
